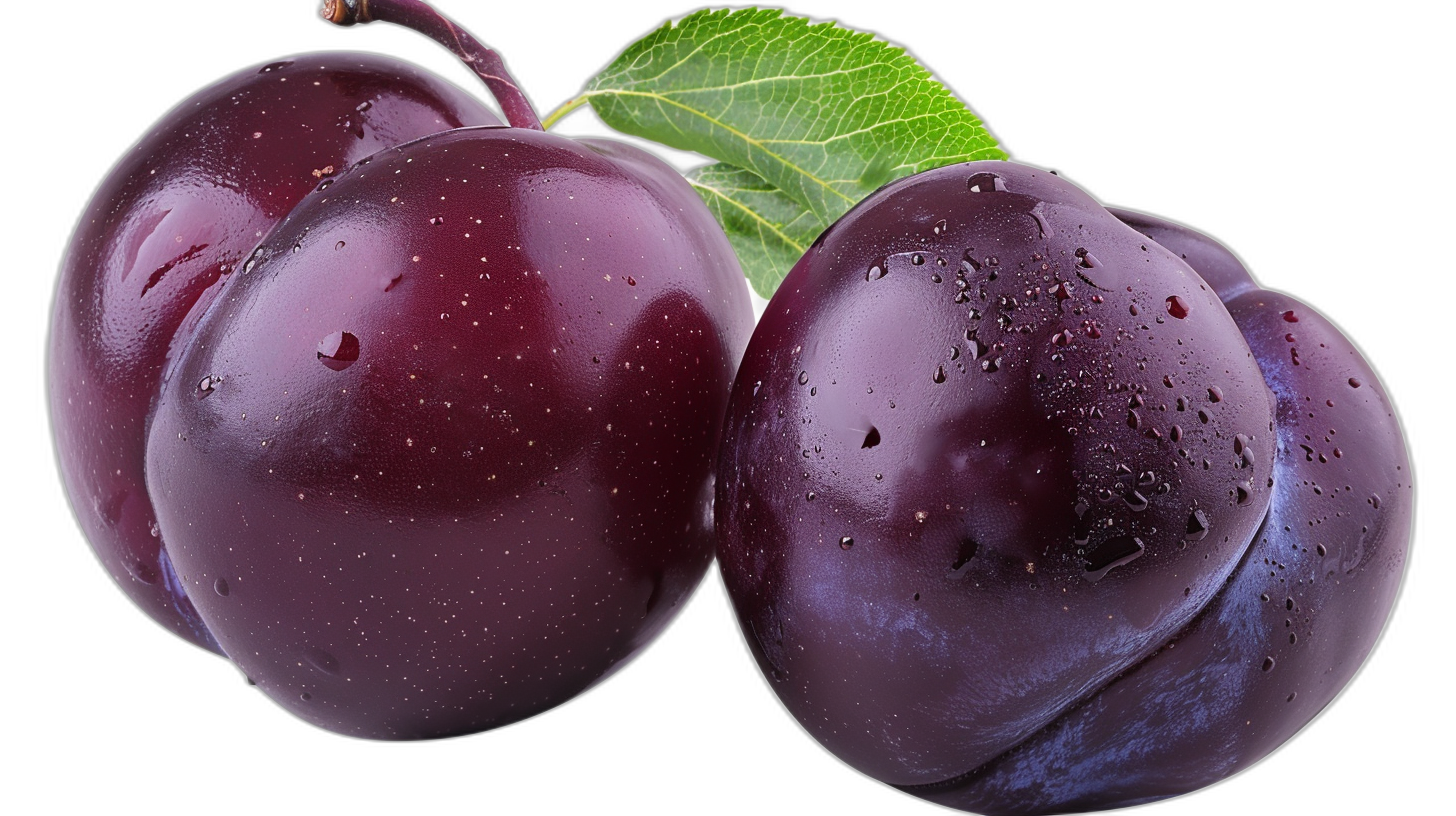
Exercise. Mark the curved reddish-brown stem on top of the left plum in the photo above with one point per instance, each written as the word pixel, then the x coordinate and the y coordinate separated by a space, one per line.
pixel 424 20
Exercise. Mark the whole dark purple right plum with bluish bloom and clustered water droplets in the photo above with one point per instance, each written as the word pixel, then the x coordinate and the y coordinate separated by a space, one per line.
pixel 938 576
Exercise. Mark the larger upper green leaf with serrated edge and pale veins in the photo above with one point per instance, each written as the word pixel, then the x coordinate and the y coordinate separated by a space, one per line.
pixel 822 113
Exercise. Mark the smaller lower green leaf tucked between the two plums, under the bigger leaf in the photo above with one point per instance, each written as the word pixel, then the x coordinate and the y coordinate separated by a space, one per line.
pixel 768 229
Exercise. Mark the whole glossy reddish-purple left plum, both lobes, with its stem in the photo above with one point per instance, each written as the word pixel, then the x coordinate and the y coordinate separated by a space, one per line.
pixel 417 431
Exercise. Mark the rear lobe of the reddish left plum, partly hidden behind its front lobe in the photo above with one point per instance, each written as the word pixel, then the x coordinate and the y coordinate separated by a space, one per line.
pixel 161 235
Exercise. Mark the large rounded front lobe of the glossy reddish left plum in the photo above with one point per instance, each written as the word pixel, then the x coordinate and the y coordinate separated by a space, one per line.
pixel 442 460
